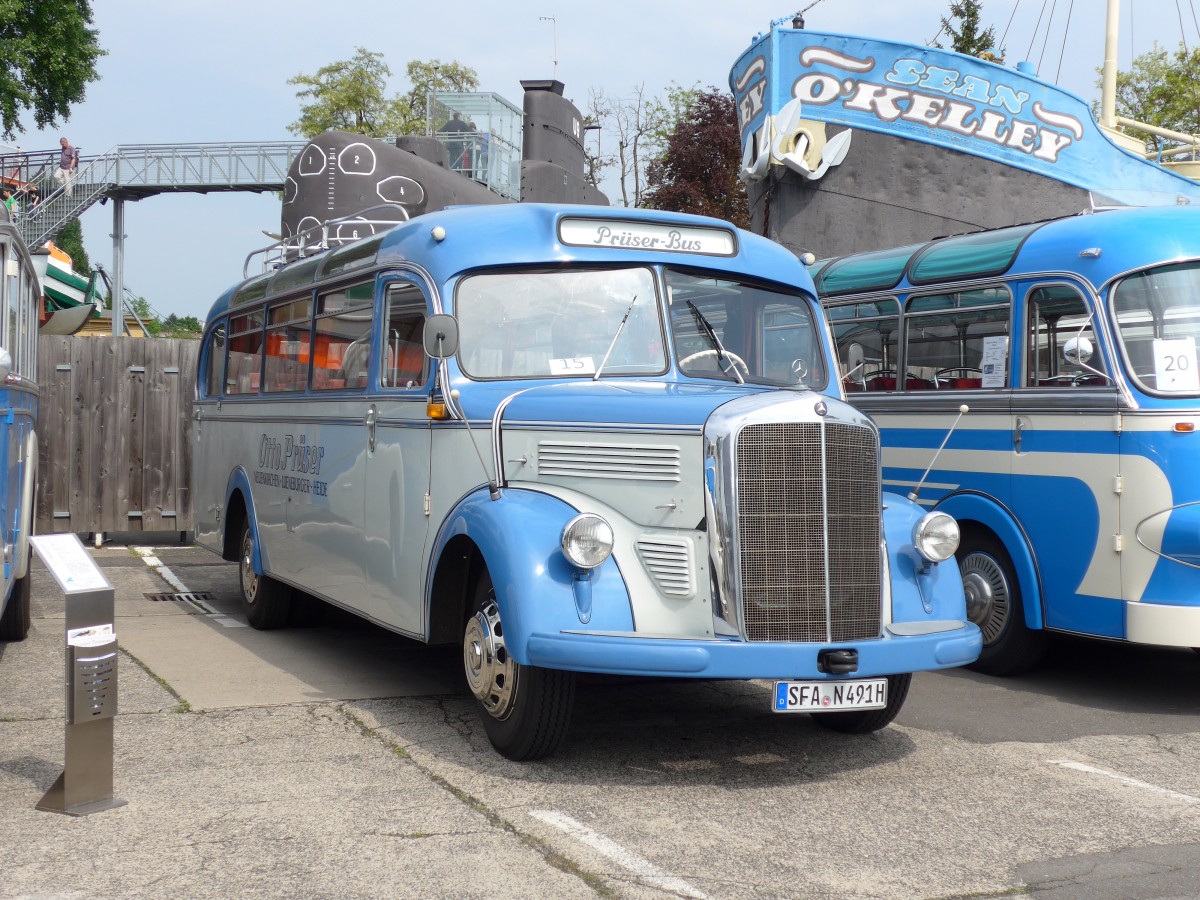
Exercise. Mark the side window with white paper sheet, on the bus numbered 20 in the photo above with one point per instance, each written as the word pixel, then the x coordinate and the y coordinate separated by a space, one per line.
pixel 958 340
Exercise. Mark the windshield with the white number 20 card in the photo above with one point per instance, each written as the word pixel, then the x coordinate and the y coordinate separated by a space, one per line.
pixel 1159 325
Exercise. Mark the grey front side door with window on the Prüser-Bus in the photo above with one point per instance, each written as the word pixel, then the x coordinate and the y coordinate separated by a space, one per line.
pixel 398 464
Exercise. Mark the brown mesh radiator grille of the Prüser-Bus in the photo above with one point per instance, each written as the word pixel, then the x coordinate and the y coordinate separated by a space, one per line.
pixel 807 535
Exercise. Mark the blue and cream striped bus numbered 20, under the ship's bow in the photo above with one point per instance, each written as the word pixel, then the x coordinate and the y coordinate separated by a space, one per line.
pixel 1075 476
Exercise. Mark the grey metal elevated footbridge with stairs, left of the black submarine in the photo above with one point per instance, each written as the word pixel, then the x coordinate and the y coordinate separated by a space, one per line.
pixel 133 172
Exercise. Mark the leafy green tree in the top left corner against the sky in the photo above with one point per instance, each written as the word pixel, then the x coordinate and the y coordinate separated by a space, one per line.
pixel 49 58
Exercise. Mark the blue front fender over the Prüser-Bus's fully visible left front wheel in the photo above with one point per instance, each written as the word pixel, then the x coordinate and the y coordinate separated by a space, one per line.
pixel 537 589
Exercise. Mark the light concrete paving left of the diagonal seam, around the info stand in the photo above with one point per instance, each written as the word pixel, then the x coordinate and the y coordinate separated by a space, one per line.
pixel 245 769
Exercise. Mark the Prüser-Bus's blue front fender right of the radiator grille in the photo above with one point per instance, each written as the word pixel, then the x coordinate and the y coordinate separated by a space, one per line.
pixel 921 591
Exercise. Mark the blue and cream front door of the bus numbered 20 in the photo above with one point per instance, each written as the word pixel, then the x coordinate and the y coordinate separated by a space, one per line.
pixel 1066 460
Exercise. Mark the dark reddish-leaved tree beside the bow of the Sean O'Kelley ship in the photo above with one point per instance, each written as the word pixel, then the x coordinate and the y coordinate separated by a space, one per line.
pixel 699 169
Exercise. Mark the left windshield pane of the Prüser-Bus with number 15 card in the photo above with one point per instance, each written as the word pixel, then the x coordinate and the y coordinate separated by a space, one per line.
pixel 562 323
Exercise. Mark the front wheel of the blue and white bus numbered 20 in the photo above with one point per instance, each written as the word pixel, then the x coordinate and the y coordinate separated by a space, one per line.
pixel 994 604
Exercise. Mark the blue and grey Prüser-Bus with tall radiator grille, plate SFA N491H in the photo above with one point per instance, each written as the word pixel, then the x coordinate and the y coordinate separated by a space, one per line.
pixel 571 440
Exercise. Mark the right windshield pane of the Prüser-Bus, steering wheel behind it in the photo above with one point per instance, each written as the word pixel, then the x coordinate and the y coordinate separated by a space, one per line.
pixel 740 332
